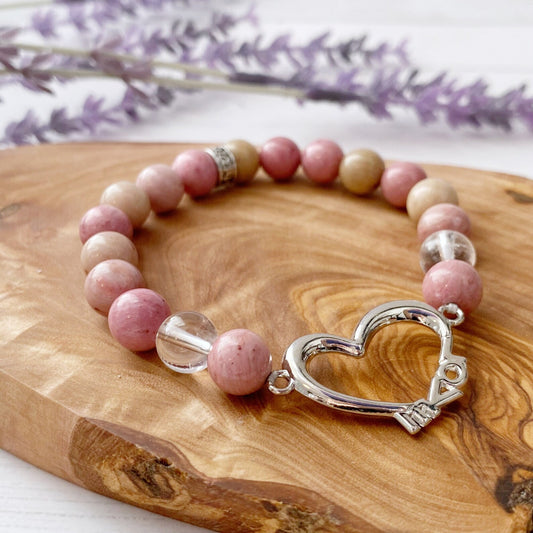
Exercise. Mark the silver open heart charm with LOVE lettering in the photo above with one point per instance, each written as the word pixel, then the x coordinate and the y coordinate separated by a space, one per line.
pixel 444 387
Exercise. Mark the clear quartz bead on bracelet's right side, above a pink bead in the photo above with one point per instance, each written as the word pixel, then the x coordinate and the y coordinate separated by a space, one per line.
pixel 445 245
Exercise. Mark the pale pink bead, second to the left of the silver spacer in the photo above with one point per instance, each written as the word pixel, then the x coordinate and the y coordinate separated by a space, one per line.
pixel 162 185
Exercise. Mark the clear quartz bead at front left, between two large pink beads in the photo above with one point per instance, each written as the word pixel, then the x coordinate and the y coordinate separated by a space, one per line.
pixel 184 340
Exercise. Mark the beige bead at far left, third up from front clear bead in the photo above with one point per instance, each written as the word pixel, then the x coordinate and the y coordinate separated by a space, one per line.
pixel 107 245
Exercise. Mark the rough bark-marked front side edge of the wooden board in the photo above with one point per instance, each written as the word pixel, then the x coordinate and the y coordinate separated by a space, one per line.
pixel 140 470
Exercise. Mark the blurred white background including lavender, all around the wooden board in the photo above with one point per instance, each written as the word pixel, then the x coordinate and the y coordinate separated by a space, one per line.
pixel 444 83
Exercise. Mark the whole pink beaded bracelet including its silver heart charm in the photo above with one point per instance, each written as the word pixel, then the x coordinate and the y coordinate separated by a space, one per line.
pixel 239 361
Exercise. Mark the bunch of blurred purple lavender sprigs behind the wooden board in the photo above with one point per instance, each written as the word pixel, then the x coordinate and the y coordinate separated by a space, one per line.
pixel 381 79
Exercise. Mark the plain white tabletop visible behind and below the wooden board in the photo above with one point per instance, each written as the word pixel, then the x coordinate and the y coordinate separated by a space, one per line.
pixel 469 39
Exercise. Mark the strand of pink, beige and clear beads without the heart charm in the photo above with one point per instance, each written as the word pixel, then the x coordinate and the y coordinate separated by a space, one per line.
pixel 239 360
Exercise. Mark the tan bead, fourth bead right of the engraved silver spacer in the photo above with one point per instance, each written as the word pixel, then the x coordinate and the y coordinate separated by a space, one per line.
pixel 361 170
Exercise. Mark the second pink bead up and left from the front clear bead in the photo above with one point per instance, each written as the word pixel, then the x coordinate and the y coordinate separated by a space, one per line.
pixel 109 279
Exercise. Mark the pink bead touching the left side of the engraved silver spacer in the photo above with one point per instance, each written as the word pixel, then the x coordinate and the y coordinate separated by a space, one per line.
pixel 198 172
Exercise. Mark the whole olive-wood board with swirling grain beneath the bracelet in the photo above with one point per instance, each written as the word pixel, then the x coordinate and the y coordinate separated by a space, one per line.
pixel 282 260
